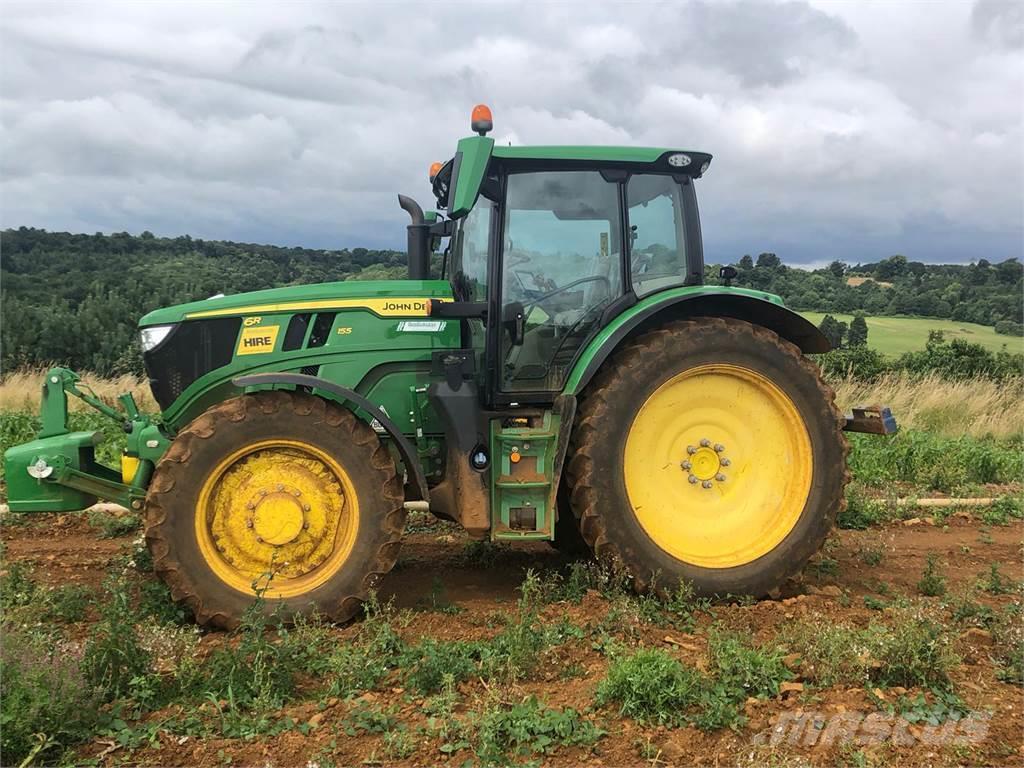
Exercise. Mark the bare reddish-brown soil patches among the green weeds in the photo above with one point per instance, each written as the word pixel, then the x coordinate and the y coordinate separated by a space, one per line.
pixel 435 565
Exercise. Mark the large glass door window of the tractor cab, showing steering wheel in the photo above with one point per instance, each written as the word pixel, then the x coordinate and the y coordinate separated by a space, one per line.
pixel 562 267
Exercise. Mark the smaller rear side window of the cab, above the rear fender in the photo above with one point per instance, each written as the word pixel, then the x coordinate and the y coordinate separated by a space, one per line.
pixel 658 245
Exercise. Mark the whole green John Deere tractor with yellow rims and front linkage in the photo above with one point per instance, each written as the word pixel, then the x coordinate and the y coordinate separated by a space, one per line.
pixel 570 378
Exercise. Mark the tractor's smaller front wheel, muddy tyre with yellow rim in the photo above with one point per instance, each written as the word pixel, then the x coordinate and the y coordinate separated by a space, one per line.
pixel 277 492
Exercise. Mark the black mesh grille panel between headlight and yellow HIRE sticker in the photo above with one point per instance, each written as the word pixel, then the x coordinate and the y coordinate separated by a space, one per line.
pixel 191 351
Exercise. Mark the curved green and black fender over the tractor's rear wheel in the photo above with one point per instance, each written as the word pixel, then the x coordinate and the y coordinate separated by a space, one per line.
pixel 711 302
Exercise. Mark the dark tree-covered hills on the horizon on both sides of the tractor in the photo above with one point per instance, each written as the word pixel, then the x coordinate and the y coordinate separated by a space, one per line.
pixel 76 298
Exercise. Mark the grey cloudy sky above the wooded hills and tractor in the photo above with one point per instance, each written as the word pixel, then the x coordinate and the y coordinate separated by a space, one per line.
pixel 848 131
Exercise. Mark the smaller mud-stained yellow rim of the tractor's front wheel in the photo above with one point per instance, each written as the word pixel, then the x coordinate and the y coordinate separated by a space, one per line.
pixel 282 515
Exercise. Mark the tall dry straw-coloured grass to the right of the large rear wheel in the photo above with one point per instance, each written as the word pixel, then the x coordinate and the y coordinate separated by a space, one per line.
pixel 978 408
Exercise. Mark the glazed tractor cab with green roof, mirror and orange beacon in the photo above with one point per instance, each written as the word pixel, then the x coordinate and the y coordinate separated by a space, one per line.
pixel 553 242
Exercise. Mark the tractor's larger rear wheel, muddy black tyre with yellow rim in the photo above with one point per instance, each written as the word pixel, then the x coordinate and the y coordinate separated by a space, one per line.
pixel 709 451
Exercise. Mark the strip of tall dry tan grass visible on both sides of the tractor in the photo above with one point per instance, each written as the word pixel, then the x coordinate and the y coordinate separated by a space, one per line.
pixel 977 407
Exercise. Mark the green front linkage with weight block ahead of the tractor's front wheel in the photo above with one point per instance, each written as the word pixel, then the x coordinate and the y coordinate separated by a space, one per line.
pixel 59 473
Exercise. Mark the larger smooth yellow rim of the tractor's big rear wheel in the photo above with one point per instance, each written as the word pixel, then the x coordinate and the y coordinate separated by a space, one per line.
pixel 718 466
